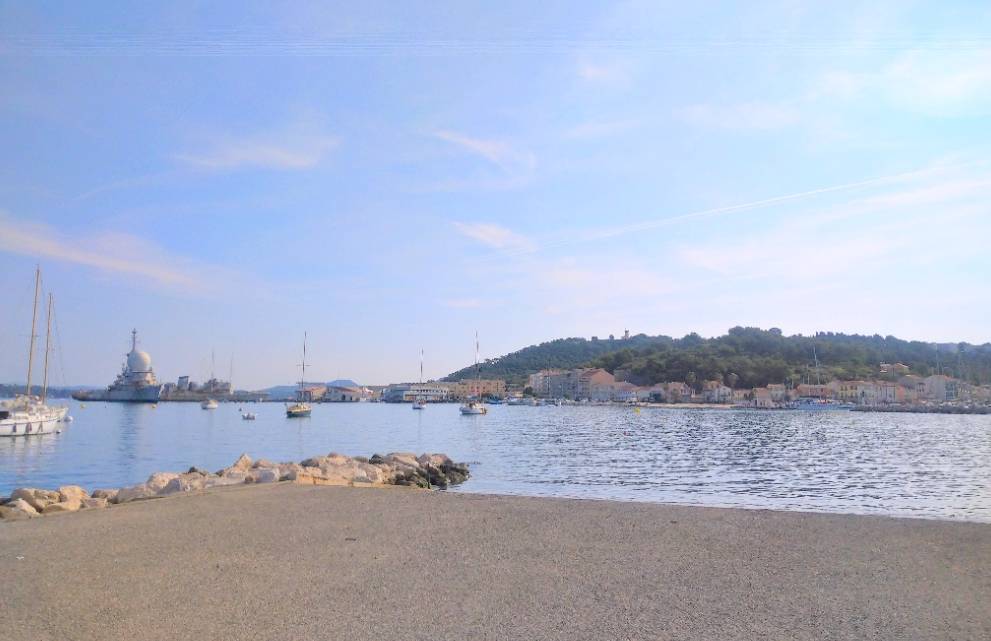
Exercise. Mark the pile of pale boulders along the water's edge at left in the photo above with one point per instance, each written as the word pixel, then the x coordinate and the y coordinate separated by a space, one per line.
pixel 397 468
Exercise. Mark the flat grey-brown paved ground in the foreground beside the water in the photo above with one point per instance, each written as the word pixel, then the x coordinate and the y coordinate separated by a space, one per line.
pixel 290 562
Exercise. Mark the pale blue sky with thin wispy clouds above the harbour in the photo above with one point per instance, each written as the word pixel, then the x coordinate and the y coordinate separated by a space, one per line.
pixel 391 177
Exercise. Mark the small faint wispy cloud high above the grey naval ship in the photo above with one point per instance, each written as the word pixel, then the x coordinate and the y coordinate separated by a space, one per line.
pixel 298 146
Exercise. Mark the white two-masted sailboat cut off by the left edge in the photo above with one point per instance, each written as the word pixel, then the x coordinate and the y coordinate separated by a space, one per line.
pixel 27 414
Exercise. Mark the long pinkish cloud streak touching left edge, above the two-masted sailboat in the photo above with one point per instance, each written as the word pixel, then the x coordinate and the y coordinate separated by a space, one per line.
pixel 111 252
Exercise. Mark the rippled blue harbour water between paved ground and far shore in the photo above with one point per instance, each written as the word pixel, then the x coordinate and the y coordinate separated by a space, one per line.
pixel 897 464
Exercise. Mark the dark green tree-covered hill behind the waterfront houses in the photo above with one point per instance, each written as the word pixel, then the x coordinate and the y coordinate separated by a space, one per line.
pixel 745 356
